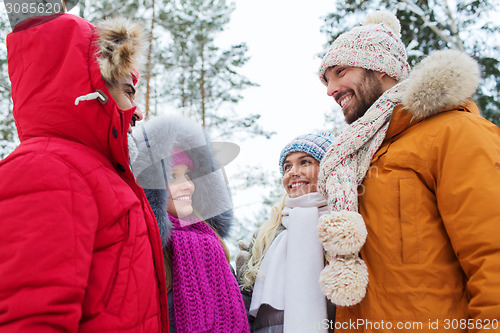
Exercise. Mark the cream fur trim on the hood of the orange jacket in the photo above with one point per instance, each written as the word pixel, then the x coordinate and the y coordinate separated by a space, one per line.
pixel 442 80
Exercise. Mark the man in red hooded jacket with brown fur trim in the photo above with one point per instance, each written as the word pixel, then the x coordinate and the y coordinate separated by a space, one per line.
pixel 79 247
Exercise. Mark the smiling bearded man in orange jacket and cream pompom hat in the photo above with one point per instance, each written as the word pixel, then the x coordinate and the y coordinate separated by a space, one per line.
pixel 419 243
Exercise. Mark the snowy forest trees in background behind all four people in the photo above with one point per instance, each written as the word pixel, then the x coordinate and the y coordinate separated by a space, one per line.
pixel 188 71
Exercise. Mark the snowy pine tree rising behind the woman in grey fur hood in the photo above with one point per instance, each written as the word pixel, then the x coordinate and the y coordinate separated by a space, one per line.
pixel 203 77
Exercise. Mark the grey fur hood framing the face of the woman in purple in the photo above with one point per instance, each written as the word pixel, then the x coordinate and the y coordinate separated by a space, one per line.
pixel 156 140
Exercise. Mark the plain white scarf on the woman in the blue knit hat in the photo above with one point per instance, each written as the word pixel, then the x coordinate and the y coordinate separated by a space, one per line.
pixel 288 277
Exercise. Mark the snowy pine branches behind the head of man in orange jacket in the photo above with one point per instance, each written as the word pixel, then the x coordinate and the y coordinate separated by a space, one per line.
pixel 429 25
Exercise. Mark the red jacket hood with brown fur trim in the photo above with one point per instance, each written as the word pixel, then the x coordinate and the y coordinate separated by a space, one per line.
pixel 58 61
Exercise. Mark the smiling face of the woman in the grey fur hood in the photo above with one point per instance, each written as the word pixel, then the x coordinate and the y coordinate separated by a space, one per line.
pixel 181 189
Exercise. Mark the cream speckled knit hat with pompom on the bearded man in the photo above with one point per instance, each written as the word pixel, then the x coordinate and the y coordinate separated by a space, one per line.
pixel 375 45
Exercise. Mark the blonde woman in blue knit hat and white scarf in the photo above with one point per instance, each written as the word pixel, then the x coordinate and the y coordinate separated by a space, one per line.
pixel 286 258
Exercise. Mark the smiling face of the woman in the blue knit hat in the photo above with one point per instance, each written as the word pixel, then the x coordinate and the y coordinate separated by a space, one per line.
pixel 300 174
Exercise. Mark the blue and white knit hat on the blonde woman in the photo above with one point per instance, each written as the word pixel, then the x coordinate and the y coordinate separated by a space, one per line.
pixel 315 145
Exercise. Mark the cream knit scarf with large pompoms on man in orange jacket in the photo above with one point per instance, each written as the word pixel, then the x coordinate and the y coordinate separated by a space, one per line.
pixel 343 231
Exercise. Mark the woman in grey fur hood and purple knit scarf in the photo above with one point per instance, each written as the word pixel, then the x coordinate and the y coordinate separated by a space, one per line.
pixel 192 206
